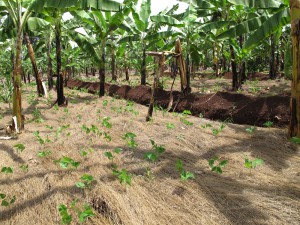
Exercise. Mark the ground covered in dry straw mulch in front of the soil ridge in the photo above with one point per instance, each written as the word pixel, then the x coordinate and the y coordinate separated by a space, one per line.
pixel 268 194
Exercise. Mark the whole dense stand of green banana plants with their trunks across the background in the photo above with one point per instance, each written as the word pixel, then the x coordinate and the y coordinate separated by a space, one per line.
pixel 229 35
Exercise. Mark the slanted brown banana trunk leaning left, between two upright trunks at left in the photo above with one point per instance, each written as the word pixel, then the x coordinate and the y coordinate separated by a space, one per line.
pixel 37 76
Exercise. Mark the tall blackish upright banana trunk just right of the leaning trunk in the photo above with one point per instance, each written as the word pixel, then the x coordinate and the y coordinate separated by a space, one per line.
pixel 60 79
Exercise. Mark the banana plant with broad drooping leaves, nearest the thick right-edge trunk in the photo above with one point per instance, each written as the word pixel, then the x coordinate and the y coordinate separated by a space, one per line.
pixel 265 18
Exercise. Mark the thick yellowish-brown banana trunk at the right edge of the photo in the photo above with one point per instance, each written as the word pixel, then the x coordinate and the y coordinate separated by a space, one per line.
pixel 294 127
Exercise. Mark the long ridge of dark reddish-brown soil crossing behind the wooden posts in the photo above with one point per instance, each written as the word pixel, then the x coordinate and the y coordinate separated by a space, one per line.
pixel 240 108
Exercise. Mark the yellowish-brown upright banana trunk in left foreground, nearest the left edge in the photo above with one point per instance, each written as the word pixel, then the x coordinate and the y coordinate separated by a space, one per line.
pixel 17 97
